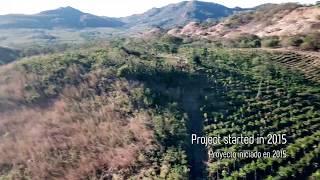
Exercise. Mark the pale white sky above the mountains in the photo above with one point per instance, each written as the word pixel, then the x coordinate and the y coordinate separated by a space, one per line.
pixel 115 8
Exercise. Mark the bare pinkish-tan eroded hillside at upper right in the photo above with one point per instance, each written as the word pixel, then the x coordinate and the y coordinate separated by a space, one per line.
pixel 267 20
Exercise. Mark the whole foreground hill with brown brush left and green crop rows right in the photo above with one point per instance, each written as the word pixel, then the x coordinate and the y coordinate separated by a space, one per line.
pixel 127 110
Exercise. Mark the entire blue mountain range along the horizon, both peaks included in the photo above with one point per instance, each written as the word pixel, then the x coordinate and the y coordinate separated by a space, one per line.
pixel 167 16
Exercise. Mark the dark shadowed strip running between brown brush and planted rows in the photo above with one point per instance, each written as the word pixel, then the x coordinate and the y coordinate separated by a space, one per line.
pixel 186 90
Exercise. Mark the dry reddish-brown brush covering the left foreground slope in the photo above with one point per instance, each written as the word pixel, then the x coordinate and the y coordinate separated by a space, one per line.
pixel 78 135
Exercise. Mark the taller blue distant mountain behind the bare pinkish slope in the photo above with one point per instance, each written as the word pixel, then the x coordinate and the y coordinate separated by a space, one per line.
pixel 180 14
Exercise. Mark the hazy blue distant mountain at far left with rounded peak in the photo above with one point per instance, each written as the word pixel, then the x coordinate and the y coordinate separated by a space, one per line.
pixel 66 17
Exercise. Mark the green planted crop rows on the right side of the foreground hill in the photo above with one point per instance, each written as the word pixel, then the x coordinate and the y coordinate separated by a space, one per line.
pixel 260 98
